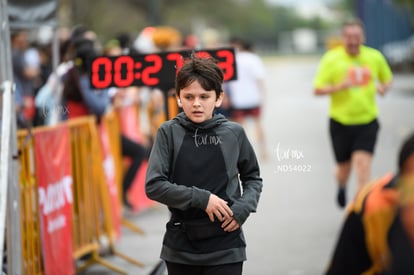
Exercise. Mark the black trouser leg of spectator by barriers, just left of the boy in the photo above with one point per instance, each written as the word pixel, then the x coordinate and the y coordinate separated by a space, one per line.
pixel 137 153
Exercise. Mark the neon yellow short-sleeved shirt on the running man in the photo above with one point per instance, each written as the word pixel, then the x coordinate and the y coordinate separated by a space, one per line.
pixel 355 105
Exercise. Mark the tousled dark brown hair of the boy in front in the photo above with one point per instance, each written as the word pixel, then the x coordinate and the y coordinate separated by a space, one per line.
pixel 201 69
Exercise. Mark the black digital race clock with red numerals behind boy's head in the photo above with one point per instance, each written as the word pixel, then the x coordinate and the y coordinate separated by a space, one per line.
pixel 153 70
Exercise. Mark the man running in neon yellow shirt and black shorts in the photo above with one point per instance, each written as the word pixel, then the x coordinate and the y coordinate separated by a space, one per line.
pixel 352 75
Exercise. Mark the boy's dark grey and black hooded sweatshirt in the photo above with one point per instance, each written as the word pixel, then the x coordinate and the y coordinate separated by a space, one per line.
pixel 190 161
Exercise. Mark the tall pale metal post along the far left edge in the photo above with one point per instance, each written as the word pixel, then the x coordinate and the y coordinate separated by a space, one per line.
pixel 9 178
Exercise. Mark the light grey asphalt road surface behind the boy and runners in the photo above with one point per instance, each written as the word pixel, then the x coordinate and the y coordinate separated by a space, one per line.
pixel 297 222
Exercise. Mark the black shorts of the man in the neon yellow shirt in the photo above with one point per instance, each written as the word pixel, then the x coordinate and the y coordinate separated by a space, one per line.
pixel 347 139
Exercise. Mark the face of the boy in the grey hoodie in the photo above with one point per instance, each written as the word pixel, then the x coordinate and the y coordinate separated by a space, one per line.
pixel 197 103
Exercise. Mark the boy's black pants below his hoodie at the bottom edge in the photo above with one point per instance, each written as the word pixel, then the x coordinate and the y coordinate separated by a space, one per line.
pixel 182 269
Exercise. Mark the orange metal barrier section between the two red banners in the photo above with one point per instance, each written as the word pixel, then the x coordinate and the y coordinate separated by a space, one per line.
pixel 91 201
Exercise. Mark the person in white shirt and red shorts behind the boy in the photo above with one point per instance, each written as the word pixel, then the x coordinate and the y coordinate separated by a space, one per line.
pixel 246 94
